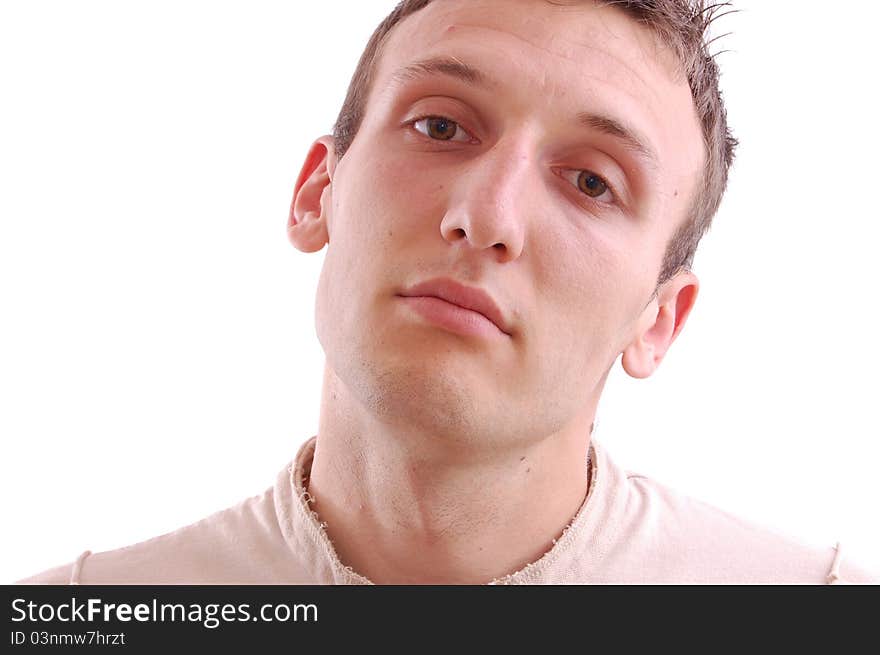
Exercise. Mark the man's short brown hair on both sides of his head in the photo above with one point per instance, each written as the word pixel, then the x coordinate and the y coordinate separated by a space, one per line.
pixel 682 26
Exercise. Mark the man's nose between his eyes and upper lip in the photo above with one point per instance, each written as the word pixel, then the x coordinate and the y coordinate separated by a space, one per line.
pixel 489 202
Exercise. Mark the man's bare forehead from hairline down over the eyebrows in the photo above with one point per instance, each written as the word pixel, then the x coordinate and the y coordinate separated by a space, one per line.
pixel 554 61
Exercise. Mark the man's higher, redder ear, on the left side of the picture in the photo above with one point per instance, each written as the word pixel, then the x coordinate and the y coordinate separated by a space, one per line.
pixel 307 221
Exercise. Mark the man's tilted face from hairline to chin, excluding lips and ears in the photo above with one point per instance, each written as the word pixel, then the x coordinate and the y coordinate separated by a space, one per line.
pixel 516 185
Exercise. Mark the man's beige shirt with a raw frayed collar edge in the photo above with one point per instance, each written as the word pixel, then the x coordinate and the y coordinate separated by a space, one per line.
pixel 629 529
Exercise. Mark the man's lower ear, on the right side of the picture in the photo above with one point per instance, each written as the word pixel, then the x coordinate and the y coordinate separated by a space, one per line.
pixel 660 323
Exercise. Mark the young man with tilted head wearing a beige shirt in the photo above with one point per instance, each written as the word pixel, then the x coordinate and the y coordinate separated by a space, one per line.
pixel 511 200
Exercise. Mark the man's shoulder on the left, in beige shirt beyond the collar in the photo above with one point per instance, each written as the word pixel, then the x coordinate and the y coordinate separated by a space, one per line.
pixel 238 545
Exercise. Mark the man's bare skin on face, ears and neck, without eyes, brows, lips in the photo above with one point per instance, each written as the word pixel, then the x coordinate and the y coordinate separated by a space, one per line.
pixel 446 458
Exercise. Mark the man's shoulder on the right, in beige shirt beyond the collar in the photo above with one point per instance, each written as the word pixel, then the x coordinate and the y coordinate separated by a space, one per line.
pixel 695 542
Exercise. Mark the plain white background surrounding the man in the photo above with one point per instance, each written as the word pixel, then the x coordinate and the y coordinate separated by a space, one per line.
pixel 158 359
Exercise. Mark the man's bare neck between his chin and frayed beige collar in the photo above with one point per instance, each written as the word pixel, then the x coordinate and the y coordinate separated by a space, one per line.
pixel 403 505
